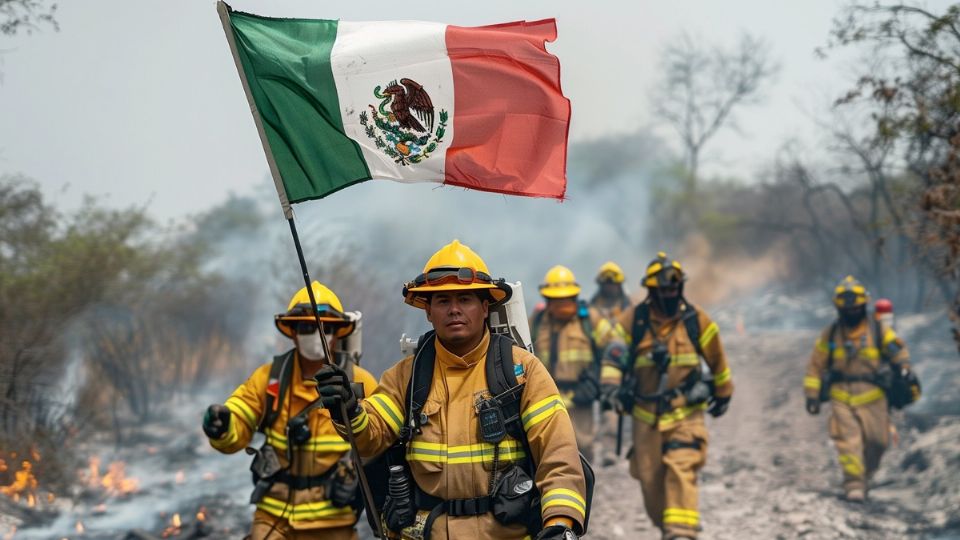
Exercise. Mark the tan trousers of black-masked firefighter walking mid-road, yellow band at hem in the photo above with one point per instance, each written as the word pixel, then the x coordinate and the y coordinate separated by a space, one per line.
pixel 667 463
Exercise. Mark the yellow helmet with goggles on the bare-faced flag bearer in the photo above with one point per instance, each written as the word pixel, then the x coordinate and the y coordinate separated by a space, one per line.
pixel 454 267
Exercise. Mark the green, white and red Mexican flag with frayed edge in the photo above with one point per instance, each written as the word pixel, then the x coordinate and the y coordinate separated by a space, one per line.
pixel 338 103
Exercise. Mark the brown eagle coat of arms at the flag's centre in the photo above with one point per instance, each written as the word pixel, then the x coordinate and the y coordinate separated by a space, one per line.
pixel 406 131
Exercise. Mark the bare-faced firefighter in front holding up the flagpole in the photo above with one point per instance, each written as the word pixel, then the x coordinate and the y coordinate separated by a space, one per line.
pixel 452 465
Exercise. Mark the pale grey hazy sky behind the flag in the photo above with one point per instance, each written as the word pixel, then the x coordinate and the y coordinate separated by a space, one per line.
pixel 140 102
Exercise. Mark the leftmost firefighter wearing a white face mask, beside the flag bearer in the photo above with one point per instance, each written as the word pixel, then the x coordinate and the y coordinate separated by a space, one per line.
pixel 305 485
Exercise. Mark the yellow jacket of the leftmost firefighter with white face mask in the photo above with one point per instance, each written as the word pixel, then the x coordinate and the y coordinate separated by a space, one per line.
pixel 304 508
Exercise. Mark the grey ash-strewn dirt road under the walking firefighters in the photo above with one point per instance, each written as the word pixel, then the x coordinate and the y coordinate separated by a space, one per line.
pixel 772 472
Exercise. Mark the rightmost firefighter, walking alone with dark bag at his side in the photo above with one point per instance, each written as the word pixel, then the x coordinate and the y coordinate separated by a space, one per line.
pixel 862 367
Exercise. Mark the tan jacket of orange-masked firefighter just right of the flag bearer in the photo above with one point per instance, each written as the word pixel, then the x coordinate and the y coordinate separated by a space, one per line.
pixel 574 347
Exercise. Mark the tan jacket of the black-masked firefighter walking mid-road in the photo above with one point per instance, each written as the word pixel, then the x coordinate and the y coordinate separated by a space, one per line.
pixel 683 360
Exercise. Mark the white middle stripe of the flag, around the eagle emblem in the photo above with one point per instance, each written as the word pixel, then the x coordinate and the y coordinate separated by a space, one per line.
pixel 371 54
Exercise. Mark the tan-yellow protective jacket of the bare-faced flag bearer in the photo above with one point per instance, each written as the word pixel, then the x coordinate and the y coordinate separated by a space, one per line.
pixel 448 460
